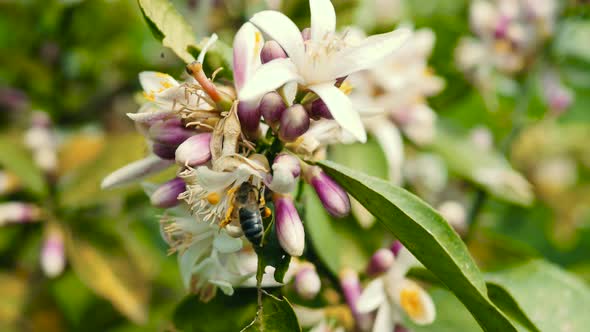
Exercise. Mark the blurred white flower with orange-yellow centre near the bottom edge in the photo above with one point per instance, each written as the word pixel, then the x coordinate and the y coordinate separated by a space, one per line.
pixel 393 295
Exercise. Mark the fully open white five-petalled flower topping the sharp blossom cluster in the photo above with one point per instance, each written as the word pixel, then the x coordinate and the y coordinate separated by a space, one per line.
pixel 319 61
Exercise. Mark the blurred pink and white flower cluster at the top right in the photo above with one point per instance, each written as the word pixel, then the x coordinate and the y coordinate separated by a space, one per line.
pixel 509 33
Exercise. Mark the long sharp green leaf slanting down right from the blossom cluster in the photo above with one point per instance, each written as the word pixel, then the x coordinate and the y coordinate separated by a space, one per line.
pixel 428 236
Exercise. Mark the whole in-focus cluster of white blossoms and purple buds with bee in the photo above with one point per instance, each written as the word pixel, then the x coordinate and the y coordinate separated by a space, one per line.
pixel 241 145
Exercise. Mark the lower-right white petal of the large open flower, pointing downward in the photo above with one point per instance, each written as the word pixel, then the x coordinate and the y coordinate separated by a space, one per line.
pixel 341 109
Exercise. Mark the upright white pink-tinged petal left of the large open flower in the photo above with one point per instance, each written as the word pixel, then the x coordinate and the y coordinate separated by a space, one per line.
pixel 247 46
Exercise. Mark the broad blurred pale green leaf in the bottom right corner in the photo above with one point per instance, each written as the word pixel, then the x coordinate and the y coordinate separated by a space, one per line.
pixel 553 299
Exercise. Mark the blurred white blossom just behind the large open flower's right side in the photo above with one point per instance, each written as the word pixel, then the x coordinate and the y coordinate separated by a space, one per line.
pixel 393 96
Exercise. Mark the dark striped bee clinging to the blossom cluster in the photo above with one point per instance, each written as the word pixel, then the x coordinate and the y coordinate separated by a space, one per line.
pixel 250 203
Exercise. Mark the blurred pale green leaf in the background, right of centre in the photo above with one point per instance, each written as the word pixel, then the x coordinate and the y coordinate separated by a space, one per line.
pixel 487 169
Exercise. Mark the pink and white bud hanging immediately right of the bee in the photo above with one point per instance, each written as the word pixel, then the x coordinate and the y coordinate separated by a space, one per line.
pixel 288 225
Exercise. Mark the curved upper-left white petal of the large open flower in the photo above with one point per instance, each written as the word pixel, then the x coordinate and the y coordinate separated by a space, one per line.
pixel 280 28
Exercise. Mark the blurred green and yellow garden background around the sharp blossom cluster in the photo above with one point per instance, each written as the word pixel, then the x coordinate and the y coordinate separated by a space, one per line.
pixel 73 257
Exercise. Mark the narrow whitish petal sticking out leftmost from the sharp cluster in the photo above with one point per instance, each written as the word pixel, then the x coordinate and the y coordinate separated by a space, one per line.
pixel 135 171
